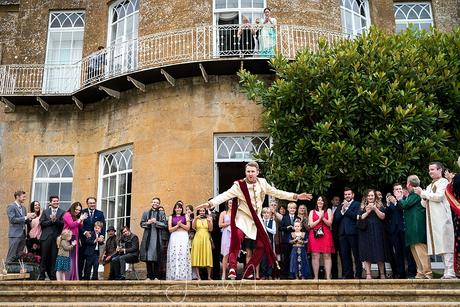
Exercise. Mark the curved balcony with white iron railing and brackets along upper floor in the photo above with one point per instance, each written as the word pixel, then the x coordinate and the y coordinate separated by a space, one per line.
pixel 204 50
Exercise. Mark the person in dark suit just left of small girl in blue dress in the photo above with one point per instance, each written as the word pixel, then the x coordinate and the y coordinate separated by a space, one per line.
pixel 286 228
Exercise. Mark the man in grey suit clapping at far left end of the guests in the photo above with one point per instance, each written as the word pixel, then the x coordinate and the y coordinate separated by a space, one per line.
pixel 17 217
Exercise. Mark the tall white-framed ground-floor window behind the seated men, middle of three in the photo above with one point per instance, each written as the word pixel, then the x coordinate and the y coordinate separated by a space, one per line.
pixel 115 179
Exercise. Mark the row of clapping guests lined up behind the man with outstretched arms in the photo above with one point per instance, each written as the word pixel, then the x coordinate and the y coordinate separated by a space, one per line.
pixel 405 228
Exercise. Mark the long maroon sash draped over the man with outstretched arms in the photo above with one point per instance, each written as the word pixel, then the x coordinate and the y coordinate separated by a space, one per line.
pixel 261 234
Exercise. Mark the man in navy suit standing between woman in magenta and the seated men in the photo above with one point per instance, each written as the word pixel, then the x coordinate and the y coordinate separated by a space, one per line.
pixel 94 215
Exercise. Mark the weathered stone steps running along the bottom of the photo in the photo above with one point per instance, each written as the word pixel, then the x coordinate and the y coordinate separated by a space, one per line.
pixel 232 293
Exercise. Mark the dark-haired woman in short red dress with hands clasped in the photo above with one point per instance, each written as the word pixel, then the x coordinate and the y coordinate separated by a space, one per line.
pixel 320 240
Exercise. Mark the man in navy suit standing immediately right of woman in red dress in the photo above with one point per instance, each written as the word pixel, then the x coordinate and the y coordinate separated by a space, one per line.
pixel 346 215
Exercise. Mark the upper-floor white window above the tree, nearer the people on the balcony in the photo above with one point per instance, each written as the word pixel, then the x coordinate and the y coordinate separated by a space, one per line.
pixel 355 16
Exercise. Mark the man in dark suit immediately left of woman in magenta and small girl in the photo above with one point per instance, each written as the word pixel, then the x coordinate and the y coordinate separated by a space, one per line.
pixel 51 224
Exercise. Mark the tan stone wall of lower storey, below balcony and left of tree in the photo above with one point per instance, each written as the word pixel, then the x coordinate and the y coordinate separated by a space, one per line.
pixel 170 128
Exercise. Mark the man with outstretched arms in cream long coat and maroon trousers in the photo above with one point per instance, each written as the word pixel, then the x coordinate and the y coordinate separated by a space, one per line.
pixel 248 195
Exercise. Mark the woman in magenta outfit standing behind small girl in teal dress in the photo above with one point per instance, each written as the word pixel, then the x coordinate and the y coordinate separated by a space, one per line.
pixel 73 221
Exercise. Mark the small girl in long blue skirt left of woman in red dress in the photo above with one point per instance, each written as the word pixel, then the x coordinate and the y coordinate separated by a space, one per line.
pixel 298 268
